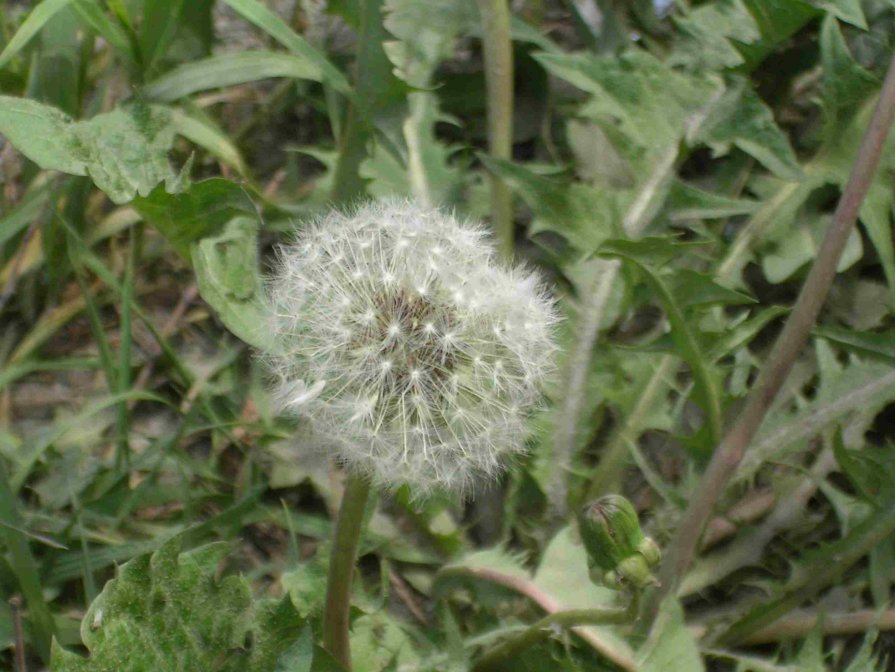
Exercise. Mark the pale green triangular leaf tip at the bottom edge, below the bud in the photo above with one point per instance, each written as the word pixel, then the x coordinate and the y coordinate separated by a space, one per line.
pixel 670 645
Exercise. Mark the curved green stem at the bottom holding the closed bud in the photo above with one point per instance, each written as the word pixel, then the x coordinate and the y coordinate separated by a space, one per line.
pixel 505 651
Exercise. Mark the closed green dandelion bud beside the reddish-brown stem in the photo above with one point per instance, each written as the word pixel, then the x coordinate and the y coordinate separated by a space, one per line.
pixel 618 552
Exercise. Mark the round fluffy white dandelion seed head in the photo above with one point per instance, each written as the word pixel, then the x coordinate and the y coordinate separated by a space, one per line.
pixel 403 340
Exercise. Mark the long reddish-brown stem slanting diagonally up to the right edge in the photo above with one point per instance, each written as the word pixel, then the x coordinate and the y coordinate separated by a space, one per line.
pixel 790 342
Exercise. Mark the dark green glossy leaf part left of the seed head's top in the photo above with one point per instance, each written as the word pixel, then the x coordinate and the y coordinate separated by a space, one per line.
pixel 198 211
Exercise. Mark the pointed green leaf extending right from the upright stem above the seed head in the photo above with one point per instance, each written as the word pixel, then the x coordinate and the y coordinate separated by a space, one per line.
pixel 583 215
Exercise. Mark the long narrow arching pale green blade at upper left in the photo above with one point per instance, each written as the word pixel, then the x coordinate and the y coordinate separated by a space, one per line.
pixel 229 69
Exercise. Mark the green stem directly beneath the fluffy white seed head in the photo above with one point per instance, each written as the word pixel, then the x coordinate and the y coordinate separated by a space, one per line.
pixel 341 568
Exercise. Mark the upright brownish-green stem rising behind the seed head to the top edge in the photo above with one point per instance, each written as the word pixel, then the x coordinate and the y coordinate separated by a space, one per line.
pixel 498 50
